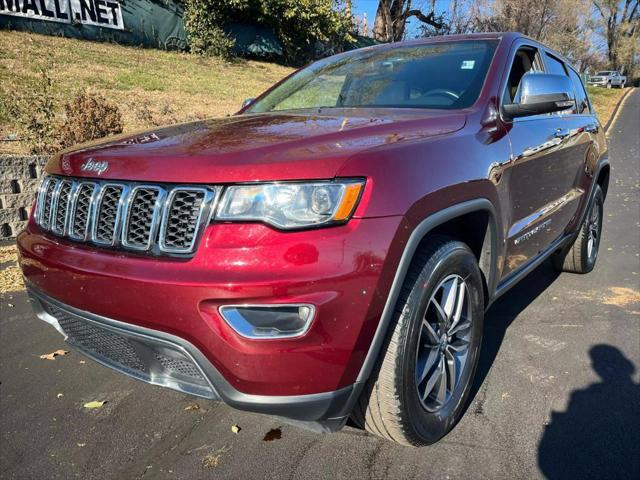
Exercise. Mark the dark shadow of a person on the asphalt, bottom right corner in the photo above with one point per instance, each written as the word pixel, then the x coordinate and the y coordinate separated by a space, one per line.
pixel 599 434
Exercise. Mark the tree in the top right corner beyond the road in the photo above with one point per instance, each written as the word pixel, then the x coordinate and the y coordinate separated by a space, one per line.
pixel 619 21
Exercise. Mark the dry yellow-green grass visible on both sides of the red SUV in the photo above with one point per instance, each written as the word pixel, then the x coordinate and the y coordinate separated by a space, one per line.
pixel 151 87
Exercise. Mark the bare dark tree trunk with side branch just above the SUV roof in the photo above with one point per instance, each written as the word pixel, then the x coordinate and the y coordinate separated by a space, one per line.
pixel 391 19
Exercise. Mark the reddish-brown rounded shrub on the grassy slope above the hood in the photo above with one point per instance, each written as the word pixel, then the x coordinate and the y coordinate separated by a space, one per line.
pixel 89 116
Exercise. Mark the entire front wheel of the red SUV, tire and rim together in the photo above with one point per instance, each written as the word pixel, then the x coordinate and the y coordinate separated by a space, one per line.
pixel 421 385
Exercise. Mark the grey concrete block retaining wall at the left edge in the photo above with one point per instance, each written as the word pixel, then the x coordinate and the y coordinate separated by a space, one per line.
pixel 18 184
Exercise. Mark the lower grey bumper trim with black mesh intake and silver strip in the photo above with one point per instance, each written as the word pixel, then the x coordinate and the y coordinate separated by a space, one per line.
pixel 170 361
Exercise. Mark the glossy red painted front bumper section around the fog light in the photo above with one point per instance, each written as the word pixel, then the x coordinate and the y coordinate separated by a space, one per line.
pixel 345 272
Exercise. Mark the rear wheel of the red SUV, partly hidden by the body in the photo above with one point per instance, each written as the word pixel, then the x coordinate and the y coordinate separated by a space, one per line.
pixel 581 256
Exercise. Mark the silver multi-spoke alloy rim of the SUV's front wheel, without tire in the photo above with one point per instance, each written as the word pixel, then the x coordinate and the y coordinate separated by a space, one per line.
pixel 443 344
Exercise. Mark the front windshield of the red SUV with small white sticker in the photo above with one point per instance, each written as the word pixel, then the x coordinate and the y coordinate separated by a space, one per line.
pixel 441 75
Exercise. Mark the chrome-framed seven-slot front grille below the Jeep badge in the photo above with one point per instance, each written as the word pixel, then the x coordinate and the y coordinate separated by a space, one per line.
pixel 149 218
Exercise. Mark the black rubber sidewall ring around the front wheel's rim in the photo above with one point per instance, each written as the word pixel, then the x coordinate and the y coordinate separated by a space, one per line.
pixel 429 427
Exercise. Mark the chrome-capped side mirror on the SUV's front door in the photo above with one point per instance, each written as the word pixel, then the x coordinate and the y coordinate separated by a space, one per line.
pixel 540 93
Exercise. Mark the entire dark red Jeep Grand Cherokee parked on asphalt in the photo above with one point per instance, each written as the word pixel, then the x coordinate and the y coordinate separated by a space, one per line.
pixel 329 251
